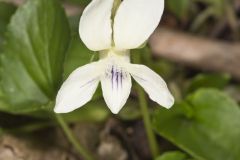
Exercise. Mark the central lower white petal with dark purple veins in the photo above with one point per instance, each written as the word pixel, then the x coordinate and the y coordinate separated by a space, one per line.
pixel 116 87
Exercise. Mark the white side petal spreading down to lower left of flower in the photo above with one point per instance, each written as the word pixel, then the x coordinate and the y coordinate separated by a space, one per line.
pixel 78 89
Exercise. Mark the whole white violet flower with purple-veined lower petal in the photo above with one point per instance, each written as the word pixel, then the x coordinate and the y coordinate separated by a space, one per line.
pixel 113 27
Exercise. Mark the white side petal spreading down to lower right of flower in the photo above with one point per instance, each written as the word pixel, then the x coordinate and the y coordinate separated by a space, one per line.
pixel 153 84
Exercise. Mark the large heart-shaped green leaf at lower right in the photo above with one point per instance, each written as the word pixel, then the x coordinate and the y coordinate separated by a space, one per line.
pixel 206 125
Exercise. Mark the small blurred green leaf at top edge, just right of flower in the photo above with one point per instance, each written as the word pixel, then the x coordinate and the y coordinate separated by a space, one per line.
pixel 179 8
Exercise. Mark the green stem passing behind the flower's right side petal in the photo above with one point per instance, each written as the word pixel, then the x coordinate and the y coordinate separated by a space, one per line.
pixel 146 116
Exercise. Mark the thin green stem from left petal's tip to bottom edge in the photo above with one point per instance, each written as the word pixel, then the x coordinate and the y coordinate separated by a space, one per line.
pixel 72 139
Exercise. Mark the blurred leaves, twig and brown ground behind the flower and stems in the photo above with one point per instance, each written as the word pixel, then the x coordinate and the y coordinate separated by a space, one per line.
pixel 196 49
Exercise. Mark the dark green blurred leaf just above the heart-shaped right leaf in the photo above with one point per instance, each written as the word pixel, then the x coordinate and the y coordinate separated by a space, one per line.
pixel 218 81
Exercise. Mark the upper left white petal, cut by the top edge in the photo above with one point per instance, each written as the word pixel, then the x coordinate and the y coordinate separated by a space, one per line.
pixel 95 25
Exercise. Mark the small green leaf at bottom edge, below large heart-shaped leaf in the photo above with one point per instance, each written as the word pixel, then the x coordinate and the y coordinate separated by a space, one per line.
pixel 174 155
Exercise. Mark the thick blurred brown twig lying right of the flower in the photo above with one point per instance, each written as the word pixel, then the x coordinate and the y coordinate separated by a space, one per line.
pixel 202 53
